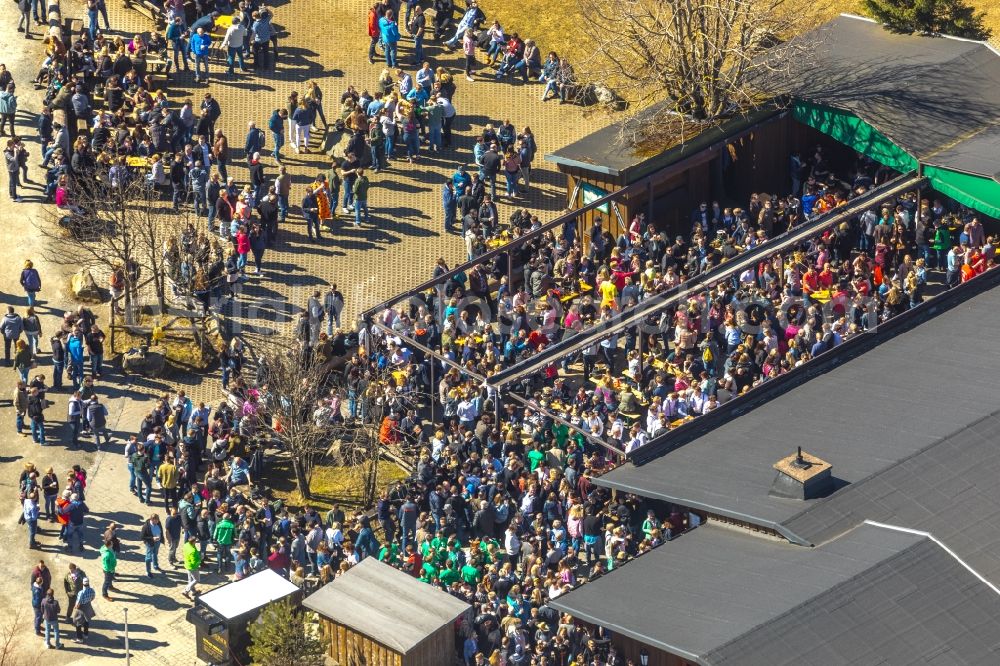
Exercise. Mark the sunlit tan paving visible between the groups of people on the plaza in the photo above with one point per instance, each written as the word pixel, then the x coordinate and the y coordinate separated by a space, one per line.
pixel 327 42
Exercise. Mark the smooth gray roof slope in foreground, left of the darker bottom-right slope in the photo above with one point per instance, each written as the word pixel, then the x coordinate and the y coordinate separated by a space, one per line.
pixel 713 585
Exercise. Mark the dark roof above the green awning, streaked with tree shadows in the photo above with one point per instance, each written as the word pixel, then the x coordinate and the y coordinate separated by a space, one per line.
pixel 925 93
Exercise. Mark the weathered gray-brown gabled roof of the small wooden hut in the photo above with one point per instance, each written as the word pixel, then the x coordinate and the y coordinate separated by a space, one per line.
pixel 386 605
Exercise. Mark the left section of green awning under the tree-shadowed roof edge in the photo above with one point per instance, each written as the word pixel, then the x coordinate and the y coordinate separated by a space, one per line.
pixel 852 131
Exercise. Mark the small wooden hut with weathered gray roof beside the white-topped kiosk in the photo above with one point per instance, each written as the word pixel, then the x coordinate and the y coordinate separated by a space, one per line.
pixel 375 615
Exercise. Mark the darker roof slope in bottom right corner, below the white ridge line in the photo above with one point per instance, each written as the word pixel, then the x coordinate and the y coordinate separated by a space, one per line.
pixel 920 606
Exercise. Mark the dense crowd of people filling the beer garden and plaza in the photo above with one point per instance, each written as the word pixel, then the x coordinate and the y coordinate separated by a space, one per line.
pixel 500 509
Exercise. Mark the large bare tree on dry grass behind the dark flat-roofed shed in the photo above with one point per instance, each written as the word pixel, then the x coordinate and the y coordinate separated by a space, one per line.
pixel 685 64
